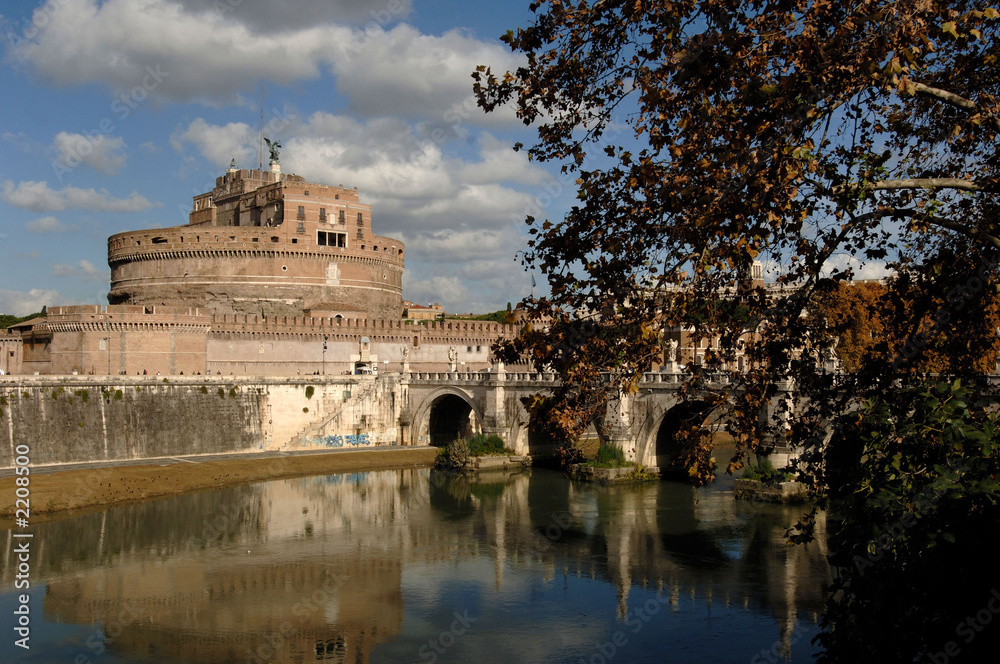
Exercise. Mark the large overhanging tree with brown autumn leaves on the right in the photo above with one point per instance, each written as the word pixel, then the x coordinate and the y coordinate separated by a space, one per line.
pixel 812 135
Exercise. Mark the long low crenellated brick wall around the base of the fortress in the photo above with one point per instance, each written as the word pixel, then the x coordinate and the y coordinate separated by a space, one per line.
pixel 171 341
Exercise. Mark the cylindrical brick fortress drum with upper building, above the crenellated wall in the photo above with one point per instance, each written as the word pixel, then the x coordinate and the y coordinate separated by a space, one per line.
pixel 265 244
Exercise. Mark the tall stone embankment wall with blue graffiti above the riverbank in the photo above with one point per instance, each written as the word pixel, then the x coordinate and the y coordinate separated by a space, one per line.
pixel 71 419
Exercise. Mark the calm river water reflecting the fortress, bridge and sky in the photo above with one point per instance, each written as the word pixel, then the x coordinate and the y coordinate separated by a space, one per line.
pixel 415 566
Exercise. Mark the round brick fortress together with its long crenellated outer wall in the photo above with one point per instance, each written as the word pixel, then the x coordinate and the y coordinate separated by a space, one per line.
pixel 272 275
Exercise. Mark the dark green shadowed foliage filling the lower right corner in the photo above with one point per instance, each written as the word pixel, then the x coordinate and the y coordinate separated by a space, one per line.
pixel 913 529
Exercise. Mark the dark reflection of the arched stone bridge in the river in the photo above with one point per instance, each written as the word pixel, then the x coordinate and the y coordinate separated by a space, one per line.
pixel 665 533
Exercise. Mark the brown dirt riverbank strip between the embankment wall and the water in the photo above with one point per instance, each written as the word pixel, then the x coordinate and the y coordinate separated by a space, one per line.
pixel 53 493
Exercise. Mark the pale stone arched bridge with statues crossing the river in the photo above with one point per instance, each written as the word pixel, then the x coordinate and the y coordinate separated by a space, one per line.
pixel 447 405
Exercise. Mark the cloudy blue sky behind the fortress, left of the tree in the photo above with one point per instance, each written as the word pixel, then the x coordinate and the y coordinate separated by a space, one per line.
pixel 117 112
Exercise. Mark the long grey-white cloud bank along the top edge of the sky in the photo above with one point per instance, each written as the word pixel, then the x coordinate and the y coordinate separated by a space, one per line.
pixel 186 51
